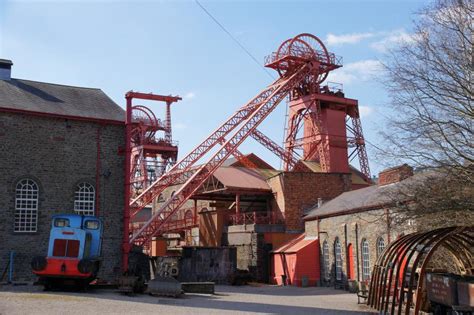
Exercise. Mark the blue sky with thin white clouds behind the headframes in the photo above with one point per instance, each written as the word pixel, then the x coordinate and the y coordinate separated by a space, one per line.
pixel 174 47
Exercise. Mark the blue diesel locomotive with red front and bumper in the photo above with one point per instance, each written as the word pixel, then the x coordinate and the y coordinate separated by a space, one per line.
pixel 74 252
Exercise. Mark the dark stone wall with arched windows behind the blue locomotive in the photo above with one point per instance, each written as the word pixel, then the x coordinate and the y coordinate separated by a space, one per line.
pixel 58 154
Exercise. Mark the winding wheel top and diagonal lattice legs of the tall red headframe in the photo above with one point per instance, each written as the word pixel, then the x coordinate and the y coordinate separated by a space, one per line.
pixel 298 63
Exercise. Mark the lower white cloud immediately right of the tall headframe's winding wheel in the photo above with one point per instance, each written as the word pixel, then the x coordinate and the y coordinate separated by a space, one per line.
pixel 358 71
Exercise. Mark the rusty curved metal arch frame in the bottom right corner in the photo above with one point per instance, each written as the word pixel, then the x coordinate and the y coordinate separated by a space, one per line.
pixel 388 283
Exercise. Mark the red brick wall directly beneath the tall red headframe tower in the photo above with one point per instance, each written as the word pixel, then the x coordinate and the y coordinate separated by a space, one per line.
pixel 295 192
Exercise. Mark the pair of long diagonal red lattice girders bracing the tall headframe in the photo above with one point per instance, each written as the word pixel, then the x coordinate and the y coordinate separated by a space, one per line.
pixel 248 118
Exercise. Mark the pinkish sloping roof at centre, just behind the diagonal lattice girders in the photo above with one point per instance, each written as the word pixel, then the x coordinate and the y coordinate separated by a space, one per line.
pixel 241 178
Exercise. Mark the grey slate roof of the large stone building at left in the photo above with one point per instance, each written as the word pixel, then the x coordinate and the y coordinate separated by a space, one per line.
pixel 56 99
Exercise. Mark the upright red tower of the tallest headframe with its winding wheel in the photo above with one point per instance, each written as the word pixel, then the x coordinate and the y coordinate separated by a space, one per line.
pixel 320 111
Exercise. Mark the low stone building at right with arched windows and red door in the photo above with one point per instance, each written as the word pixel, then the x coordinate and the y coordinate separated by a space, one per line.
pixel 354 228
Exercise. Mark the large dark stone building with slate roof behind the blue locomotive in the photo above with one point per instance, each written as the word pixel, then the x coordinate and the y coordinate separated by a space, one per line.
pixel 60 152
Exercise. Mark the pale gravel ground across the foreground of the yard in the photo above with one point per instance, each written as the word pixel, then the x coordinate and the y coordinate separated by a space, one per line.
pixel 227 300
